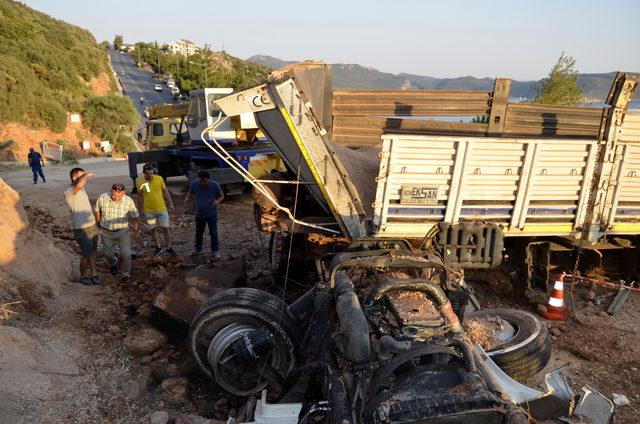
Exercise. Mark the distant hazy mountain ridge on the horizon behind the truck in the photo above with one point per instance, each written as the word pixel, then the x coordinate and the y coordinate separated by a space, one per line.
pixel 352 76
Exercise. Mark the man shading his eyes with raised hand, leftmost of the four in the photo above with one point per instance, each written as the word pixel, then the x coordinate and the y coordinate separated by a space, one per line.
pixel 85 229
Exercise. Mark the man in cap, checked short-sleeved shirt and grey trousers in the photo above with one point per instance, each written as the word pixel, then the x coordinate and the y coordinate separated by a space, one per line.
pixel 112 212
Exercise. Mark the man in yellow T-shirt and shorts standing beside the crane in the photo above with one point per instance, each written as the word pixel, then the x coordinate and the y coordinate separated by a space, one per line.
pixel 152 195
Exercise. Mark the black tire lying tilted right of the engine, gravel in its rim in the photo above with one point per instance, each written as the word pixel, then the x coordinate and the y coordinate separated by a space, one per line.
pixel 528 351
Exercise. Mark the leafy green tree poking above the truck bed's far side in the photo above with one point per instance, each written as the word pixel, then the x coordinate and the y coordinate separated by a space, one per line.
pixel 561 86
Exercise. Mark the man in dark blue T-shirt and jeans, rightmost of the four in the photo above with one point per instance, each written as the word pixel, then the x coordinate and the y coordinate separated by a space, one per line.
pixel 208 196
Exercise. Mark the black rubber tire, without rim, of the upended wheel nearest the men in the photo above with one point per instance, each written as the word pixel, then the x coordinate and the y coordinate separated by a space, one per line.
pixel 251 307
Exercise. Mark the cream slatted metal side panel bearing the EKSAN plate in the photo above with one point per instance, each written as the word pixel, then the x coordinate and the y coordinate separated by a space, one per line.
pixel 527 186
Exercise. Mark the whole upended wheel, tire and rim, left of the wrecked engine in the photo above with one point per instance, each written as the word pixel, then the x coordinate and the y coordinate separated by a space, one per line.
pixel 232 316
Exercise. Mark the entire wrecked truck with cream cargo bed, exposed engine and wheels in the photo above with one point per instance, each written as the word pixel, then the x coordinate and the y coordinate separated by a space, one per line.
pixel 379 337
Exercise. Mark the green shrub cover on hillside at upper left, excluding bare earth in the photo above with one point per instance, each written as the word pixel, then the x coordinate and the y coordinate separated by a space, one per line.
pixel 45 65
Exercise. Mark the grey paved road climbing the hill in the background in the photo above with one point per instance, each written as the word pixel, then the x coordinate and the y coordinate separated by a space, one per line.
pixel 138 82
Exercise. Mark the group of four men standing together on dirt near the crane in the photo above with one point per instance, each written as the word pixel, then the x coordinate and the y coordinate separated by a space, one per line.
pixel 114 211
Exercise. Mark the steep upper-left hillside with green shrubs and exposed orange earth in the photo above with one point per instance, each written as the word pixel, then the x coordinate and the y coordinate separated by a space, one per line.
pixel 48 69
